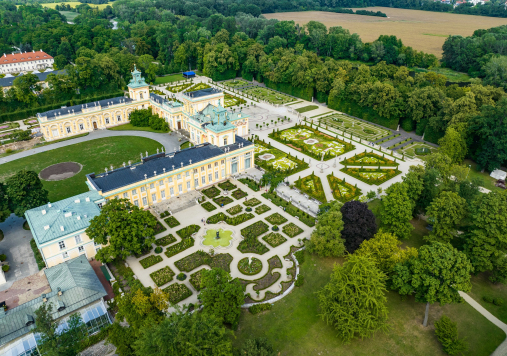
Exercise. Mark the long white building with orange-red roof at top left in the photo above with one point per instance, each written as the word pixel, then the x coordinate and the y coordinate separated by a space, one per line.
pixel 25 61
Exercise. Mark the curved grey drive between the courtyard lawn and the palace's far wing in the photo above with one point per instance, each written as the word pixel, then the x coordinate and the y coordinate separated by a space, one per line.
pixel 169 141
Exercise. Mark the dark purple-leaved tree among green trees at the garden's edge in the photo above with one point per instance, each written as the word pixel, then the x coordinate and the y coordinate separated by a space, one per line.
pixel 358 224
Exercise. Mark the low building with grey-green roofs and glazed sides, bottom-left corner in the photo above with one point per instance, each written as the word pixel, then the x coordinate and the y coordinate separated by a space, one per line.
pixel 71 287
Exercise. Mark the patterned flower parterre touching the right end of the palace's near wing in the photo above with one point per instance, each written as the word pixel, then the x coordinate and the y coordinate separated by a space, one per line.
pixel 272 159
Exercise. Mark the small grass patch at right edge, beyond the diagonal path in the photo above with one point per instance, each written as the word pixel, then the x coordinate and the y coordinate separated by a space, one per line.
pixel 481 286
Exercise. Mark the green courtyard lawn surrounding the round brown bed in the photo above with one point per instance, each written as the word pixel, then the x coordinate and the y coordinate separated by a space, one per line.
pixel 94 155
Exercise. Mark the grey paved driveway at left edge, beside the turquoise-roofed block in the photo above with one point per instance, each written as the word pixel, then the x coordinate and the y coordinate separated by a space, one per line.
pixel 16 245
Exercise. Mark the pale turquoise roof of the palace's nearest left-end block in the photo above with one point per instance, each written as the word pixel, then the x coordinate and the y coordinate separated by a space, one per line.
pixel 67 216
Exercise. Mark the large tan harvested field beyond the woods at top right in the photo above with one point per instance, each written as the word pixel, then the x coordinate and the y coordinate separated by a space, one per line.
pixel 423 30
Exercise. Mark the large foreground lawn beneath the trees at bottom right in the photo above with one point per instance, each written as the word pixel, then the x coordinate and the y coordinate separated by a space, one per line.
pixel 294 328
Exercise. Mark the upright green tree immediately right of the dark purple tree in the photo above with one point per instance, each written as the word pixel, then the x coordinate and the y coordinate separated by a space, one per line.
pixel 396 211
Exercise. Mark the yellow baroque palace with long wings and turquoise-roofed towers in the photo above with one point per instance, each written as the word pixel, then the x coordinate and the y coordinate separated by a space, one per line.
pixel 219 153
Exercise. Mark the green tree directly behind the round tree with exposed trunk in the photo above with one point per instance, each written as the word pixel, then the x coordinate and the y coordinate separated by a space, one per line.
pixel 446 211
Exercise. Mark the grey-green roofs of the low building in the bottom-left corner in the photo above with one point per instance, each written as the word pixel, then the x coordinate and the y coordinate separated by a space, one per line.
pixel 79 285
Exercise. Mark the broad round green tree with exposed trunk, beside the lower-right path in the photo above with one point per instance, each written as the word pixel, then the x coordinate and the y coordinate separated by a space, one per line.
pixel 435 275
